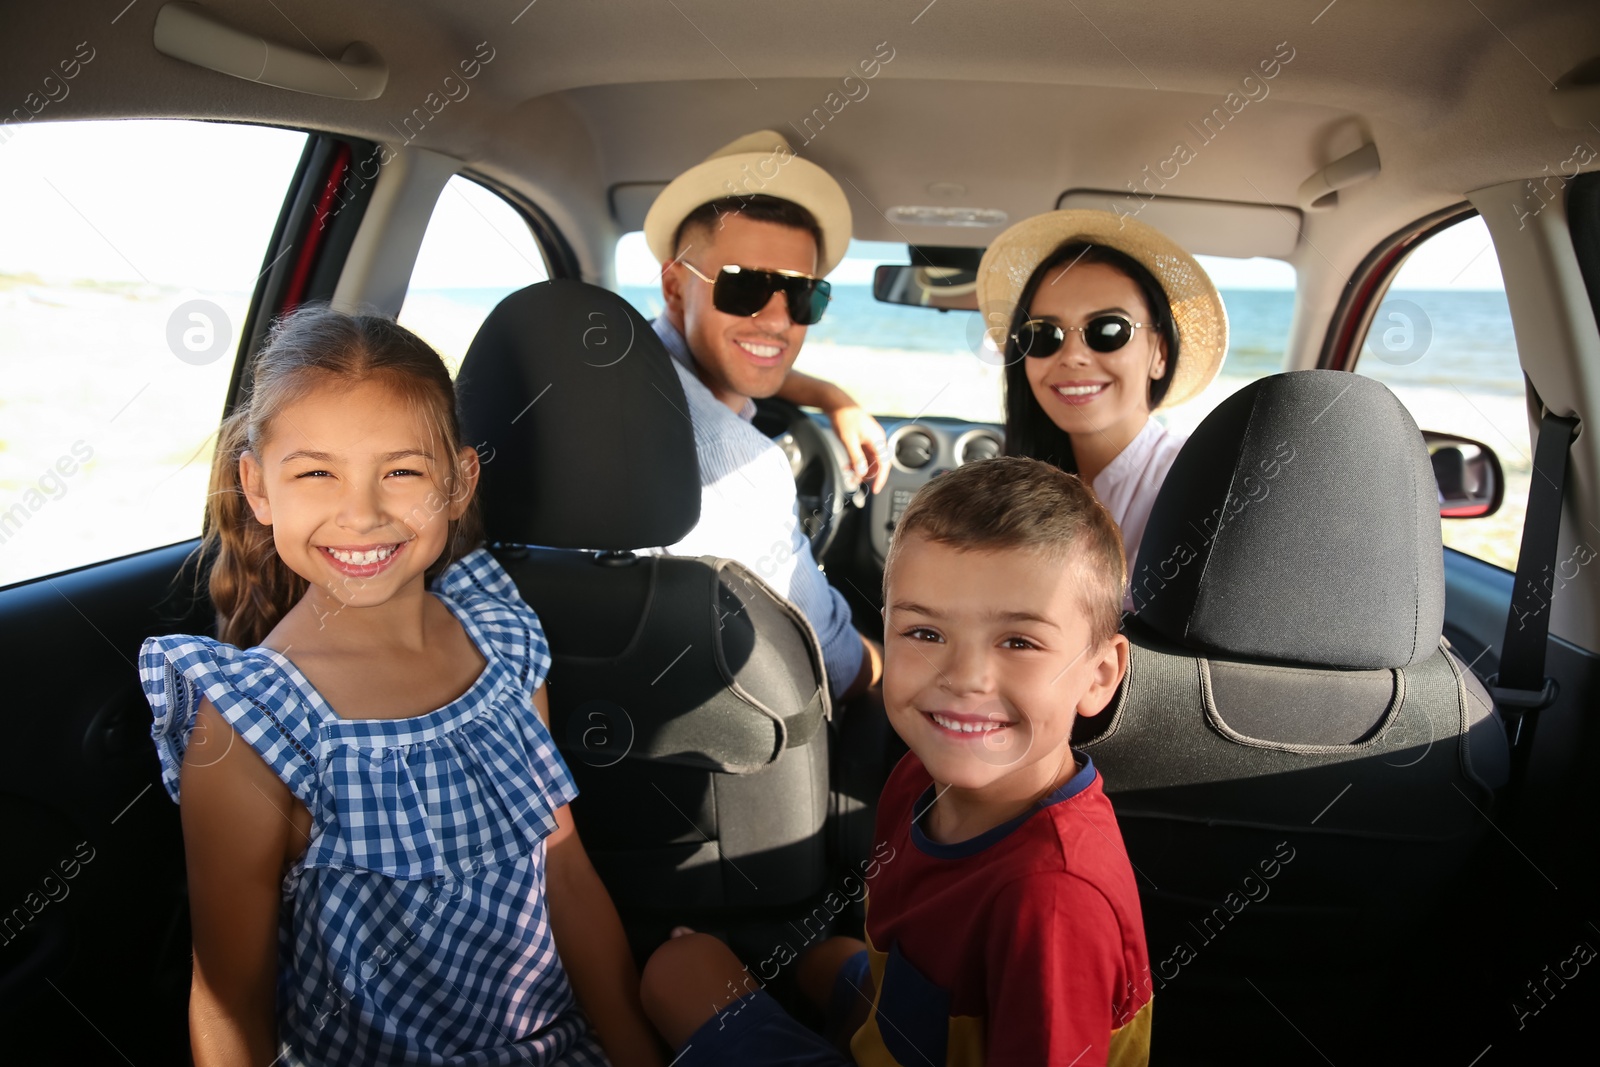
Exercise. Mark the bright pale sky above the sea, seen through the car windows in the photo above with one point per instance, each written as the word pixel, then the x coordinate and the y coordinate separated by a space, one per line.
pixel 193 206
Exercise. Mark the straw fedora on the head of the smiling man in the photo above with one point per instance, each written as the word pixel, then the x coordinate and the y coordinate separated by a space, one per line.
pixel 758 164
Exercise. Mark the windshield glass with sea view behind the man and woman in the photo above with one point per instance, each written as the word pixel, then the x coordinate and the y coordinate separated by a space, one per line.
pixel 906 362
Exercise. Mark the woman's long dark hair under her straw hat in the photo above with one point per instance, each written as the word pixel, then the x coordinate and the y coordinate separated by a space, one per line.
pixel 1028 430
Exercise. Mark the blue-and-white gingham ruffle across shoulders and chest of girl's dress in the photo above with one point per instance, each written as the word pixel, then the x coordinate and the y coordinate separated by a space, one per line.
pixel 442 794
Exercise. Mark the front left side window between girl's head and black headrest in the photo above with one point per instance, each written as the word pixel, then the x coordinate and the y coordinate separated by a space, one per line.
pixel 478 250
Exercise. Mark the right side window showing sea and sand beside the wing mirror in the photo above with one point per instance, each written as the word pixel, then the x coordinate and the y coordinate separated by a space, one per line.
pixel 1442 342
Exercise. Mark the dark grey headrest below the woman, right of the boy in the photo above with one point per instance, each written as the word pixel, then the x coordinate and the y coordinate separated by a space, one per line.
pixel 1300 524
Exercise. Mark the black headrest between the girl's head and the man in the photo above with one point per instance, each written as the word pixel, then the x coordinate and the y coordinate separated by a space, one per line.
pixel 582 422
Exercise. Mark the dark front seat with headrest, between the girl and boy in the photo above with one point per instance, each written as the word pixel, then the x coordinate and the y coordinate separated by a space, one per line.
pixel 687 697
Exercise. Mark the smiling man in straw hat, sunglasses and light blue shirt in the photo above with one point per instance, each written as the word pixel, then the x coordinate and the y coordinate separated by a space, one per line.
pixel 745 241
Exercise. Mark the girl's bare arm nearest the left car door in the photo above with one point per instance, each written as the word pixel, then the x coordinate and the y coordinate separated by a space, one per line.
pixel 239 821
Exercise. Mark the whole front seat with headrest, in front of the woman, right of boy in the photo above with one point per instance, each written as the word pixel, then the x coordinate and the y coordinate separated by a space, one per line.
pixel 1298 761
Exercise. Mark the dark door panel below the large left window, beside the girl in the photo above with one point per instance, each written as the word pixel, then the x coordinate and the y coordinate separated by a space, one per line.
pixel 94 885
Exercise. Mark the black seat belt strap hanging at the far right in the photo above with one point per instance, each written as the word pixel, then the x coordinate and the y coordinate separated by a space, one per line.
pixel 1522 689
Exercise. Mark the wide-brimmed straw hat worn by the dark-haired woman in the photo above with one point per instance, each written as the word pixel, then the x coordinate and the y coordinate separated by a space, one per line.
pixel 1198 308
